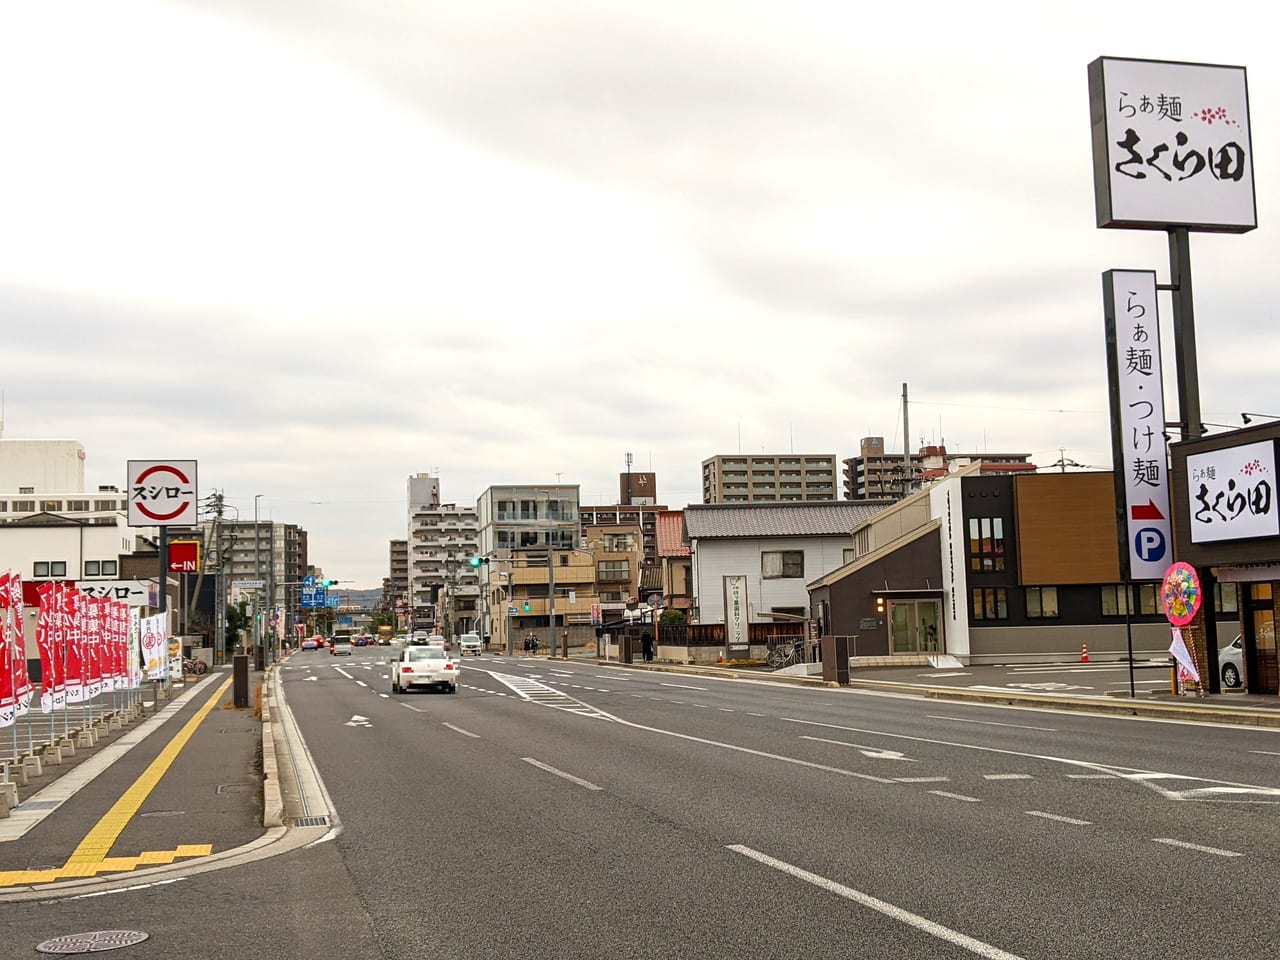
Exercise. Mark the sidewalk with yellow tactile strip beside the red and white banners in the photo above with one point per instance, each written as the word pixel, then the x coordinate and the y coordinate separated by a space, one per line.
pixel 175 780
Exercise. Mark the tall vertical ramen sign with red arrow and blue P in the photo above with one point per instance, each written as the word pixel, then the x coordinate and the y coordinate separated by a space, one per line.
pixel 1139 446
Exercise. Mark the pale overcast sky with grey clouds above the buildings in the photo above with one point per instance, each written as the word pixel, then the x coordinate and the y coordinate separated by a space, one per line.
pixel 321 246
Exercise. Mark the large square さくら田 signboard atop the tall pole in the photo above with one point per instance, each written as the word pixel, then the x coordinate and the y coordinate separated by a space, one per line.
pixel 1172 145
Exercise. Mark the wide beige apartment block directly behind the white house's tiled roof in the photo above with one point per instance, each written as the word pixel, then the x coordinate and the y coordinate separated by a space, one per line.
pixel 770 478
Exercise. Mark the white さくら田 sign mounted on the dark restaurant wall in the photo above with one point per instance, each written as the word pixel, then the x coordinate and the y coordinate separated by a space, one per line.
pixel 1232 493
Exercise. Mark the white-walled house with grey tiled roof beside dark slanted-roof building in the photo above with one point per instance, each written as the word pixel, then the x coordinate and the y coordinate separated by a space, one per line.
pixel 778 547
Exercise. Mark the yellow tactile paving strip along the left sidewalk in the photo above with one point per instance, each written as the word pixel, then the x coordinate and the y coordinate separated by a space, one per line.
pixel 90 857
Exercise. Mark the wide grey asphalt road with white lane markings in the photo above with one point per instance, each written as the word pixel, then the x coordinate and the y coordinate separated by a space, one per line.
pixel 578 811
